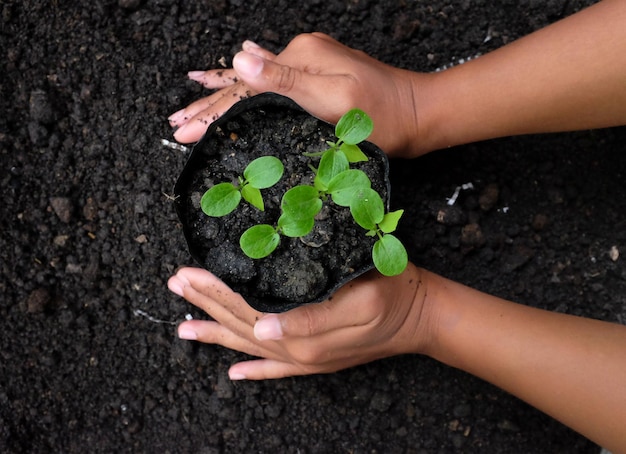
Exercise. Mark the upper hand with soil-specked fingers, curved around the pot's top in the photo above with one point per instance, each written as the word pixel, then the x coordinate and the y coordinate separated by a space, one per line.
pixel 324 77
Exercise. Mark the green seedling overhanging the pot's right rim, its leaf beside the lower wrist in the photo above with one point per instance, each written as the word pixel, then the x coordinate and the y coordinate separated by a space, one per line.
pixel 389 255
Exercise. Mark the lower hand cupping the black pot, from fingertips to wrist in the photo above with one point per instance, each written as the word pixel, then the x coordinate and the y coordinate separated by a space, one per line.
pixel 370 318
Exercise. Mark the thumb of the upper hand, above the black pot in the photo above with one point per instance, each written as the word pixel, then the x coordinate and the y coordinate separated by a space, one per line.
pixel 263 75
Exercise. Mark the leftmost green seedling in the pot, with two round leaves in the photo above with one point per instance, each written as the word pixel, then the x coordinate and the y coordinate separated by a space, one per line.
pixel 223 198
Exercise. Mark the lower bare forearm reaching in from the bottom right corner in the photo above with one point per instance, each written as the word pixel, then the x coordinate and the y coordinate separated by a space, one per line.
pixel 571 368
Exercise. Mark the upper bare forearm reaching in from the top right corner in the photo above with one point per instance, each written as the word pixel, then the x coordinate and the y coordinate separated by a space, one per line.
pixel 567 76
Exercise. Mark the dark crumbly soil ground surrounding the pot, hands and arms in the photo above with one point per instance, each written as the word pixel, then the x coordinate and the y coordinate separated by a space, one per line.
pixel 89 356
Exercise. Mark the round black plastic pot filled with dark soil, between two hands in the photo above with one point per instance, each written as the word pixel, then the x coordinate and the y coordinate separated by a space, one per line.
pixel 300 271
